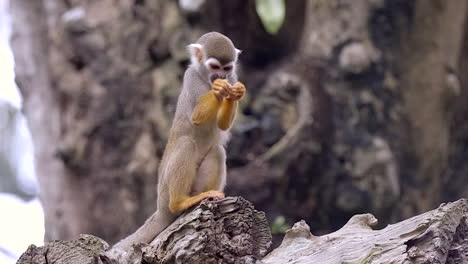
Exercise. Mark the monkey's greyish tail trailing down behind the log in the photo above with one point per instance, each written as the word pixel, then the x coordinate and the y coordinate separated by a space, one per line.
pixel 154 225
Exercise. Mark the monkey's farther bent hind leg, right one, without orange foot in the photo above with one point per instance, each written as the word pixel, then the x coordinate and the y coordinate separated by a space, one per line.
pixel 212 172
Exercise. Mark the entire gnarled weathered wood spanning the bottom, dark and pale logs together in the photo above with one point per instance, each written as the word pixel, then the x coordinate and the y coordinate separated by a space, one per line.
pixel 230 231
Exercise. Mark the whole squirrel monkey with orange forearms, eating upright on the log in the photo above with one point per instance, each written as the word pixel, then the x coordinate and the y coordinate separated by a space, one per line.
pixel 193 166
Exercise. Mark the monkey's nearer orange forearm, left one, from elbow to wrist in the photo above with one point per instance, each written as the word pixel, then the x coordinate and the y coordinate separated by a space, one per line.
pixel 206 108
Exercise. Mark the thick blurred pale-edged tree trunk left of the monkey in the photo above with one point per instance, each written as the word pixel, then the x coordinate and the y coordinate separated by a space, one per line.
pixel 85 74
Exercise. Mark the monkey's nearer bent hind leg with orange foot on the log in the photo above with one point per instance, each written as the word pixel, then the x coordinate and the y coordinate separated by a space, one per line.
pixel 181 171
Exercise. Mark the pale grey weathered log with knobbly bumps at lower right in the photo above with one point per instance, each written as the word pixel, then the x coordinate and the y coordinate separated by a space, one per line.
pixel 433 237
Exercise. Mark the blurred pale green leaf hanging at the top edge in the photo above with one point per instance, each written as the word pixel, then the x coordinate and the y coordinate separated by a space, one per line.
pixel 271 13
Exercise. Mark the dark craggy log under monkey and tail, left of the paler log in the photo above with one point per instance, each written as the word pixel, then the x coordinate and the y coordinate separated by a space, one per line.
pixel 223 231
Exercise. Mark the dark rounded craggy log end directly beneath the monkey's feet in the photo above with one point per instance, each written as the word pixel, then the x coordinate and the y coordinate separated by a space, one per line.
pixel 216 231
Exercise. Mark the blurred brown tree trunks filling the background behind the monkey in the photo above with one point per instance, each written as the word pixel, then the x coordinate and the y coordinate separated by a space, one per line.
pixel 353 106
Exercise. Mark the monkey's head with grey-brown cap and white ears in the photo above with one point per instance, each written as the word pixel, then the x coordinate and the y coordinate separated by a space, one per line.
pixel 215 55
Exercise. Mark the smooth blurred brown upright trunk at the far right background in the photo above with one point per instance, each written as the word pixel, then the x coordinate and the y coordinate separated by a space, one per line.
pixel 429 80
